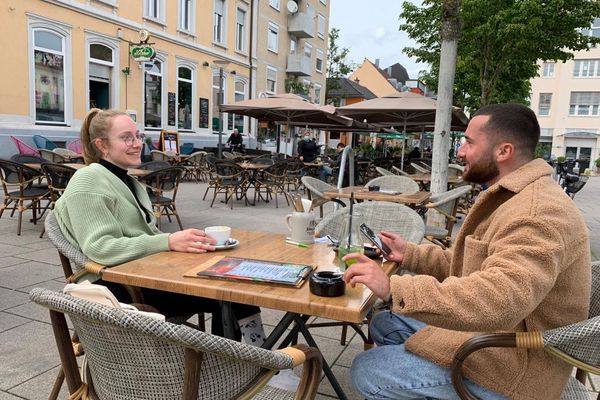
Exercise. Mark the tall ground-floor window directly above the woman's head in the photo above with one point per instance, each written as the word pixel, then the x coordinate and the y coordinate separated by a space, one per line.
pixel 100 71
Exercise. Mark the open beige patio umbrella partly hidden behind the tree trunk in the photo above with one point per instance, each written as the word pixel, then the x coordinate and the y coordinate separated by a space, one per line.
pixel 404 109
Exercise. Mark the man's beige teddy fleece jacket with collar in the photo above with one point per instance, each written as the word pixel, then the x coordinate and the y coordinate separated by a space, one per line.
pixel 521 262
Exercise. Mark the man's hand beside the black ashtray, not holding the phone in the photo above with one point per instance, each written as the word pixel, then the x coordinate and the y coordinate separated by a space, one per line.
pixel 369 273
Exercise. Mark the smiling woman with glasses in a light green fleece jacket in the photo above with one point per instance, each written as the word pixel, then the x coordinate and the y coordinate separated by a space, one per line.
pixel 108 216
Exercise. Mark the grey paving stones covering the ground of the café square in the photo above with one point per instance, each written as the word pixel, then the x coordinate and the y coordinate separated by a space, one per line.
pixel 28 357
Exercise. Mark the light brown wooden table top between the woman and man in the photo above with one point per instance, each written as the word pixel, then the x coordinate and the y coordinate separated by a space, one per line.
pixel 165 271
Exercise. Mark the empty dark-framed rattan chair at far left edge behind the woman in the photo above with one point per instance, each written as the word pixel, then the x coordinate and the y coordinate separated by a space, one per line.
pixel 17 183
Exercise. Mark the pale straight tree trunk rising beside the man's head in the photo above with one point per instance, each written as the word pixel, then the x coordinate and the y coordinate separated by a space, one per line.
pixel 443 115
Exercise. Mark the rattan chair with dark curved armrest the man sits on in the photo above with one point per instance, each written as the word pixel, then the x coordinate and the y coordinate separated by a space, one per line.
pixel 576 344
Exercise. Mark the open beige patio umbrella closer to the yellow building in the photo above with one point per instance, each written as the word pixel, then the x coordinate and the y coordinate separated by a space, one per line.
pixel 287 108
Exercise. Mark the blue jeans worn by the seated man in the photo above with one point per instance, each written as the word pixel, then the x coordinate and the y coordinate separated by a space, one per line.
pixel 389 371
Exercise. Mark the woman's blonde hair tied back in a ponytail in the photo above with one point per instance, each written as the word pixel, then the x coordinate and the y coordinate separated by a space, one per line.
pixel 96 125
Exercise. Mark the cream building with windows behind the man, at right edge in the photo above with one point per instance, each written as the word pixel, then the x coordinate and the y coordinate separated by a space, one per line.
pixel 566 99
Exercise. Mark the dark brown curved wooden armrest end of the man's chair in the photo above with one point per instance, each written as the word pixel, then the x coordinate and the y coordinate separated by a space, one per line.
pixel 470 346
